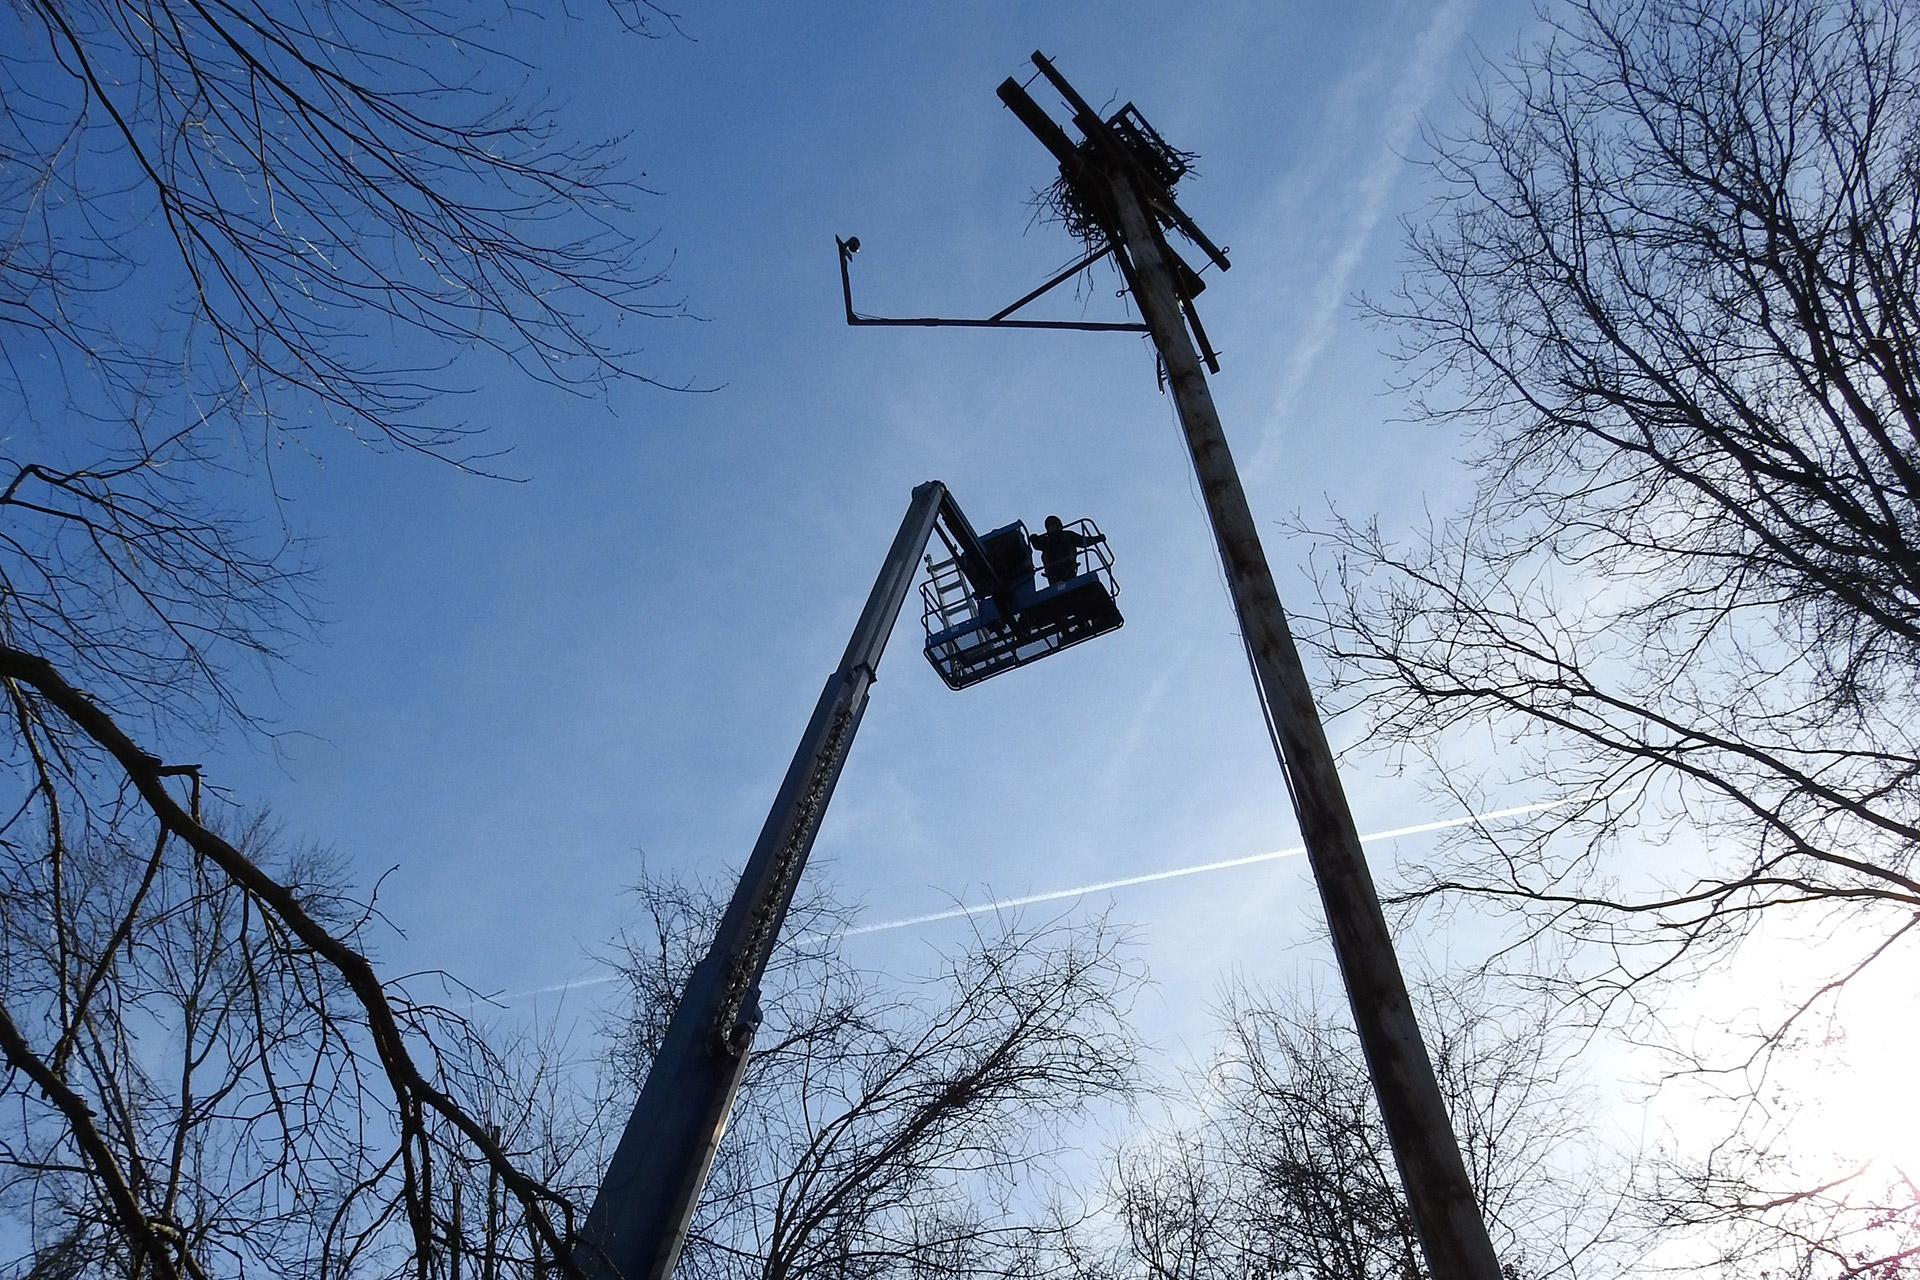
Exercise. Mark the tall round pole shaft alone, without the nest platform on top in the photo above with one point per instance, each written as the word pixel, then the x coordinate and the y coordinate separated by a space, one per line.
pixel 1431 1168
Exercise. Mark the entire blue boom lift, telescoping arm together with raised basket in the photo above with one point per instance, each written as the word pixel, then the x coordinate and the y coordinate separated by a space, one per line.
pixel 986 613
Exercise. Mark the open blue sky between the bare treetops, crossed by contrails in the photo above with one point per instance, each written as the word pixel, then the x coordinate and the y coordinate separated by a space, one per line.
pixel 527 688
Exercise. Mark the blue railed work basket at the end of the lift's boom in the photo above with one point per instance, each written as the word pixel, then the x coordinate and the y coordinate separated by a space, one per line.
pixel 990 619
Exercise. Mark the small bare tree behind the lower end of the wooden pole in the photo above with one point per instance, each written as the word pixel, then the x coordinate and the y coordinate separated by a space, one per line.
pixel 1278 1164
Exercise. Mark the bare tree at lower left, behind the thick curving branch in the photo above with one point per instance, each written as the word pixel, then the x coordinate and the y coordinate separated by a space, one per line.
pixel 201 1087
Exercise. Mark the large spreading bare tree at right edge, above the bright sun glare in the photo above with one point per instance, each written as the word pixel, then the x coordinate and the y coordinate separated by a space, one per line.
pixel 1671 291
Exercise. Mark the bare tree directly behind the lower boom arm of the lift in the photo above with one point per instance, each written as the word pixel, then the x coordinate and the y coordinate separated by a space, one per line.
pixel 886 1133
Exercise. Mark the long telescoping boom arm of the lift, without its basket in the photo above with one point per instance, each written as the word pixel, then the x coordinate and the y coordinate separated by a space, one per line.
pixel 646 1202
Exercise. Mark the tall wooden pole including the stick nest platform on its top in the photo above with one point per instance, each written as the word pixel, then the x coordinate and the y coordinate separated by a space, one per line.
pixel 1128 199
